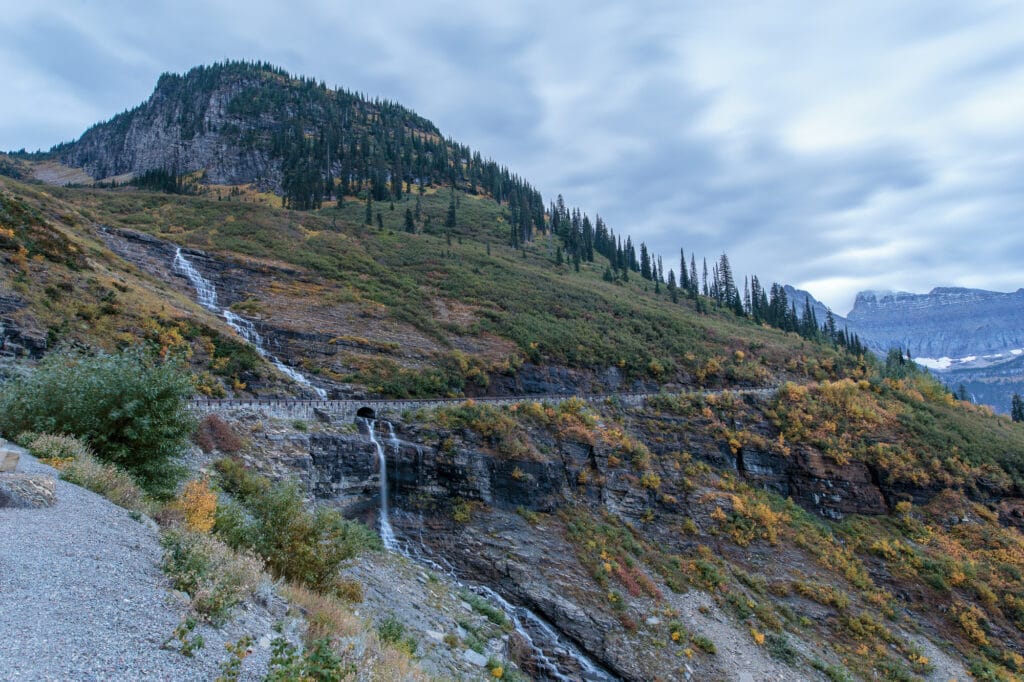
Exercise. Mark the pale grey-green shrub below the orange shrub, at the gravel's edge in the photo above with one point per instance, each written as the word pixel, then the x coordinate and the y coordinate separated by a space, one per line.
pixel 210 572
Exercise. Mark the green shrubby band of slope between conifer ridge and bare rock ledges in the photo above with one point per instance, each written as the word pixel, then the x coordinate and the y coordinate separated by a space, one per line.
pixel 552 315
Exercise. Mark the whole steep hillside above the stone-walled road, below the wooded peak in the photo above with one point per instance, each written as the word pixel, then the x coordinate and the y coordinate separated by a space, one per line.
pixel 379 310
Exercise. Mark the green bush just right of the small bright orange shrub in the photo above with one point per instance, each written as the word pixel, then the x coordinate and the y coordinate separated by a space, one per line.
pixel 302 546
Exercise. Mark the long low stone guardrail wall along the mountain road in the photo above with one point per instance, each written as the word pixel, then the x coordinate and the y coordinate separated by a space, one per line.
pixel 348 410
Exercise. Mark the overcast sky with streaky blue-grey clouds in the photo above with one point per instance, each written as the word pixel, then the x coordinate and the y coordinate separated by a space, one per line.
pixel 836 147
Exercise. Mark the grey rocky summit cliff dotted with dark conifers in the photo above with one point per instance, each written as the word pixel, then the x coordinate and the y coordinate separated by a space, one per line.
pixel 252 123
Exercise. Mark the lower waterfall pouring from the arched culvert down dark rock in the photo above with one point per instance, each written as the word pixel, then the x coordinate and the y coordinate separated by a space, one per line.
pixel 553 656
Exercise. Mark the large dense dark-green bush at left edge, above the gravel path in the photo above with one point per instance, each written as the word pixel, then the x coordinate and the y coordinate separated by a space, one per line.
pixel 131 409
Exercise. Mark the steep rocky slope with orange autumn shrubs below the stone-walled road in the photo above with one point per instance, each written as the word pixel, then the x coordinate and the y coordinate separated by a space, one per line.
pixel 809 534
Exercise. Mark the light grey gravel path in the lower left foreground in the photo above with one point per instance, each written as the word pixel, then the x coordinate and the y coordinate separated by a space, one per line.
pixel 82 598
